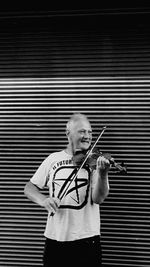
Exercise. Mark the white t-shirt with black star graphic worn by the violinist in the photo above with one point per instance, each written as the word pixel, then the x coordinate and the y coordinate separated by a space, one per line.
pixel 77 217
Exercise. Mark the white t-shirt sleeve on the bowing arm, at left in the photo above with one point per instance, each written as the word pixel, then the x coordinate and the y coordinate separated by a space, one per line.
pixel 41 175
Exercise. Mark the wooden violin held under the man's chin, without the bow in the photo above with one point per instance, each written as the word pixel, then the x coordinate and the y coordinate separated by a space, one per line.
pixel 91 161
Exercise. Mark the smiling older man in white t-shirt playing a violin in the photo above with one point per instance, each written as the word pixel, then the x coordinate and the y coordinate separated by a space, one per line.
pixel 73 224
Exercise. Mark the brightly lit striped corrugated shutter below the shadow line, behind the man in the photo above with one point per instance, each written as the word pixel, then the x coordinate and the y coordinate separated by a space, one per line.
pixel 33 117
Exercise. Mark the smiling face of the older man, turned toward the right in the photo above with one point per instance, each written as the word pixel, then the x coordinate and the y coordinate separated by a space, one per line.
pixel 81 135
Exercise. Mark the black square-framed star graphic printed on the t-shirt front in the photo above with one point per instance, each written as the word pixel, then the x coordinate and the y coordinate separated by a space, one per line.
pixel 77 192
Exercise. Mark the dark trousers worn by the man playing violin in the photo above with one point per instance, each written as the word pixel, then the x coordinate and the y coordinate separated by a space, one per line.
pixel 85 251
